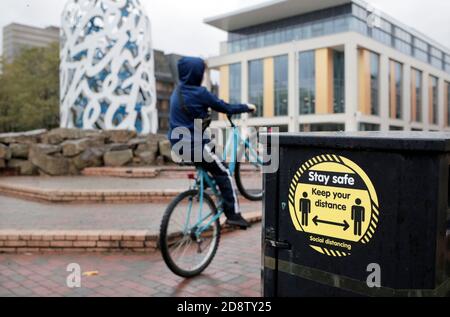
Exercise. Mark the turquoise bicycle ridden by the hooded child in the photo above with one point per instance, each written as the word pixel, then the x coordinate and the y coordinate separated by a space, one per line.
pixel 190 228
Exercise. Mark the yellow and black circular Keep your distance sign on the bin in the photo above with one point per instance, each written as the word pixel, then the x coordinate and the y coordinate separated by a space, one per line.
pixel 333 201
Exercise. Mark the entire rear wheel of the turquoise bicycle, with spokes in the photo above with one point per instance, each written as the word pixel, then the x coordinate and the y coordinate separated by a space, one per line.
pixel 189 234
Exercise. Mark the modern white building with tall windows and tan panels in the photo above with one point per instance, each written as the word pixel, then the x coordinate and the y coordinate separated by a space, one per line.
pixel 327 65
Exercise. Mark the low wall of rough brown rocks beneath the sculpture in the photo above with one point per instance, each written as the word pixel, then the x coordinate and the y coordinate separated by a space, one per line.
pixel 63 152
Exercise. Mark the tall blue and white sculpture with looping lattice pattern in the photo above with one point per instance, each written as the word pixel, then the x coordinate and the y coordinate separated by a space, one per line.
pixel 107 67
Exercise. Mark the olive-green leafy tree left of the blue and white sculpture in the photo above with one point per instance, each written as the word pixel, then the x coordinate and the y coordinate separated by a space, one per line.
pixel 29 90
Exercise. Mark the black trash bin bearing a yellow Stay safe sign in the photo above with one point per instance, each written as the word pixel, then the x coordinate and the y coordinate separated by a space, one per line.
pixel 350 214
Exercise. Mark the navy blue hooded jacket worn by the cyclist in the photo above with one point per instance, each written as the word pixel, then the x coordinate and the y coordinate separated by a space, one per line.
pixel 197 99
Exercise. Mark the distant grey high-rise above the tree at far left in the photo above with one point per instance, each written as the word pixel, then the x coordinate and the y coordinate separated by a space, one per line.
pixel 16 37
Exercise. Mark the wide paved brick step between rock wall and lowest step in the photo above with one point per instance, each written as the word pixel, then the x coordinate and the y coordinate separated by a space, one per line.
pixel 95 189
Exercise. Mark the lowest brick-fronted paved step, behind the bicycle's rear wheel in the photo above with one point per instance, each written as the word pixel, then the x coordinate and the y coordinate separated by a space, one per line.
pixel 142 241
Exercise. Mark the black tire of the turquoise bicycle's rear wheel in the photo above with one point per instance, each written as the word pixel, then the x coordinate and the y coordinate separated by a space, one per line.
pixel 163 241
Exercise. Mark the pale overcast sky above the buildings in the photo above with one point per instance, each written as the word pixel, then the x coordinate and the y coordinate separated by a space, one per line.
pixel 178 24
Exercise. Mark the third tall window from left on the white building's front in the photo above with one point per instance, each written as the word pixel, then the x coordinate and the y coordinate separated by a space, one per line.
pixel 281 85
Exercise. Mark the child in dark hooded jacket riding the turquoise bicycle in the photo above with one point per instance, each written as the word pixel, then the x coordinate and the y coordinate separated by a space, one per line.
pixel 191 101
